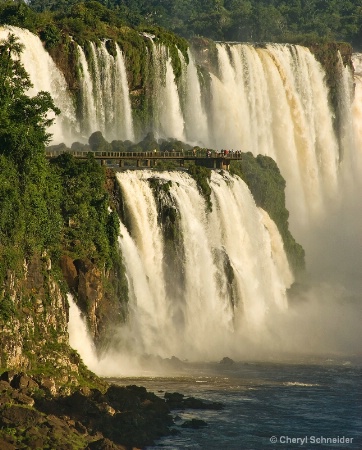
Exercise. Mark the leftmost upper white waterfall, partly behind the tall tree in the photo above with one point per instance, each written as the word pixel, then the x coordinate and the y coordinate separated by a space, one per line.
pixel 45 76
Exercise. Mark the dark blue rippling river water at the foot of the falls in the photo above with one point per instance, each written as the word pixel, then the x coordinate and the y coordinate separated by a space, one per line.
pixel 310 404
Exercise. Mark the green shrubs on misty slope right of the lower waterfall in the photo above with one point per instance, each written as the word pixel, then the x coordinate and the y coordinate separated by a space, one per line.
pixel 267 185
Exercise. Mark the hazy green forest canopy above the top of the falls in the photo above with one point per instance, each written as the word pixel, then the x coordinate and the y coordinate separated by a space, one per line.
pixel 231 20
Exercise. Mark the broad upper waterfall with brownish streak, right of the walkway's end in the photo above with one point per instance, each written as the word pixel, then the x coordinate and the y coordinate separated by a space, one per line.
pixel 272 101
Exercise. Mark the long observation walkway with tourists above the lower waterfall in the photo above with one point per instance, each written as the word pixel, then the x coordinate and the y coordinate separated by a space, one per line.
pixel 146 160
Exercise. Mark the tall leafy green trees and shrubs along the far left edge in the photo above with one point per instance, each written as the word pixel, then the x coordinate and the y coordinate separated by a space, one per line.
pixel 29 217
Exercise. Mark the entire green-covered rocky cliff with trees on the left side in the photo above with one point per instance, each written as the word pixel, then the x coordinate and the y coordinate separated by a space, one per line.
pixel 49 212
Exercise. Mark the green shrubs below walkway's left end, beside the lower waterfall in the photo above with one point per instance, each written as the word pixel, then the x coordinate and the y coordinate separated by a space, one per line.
pixel 90 231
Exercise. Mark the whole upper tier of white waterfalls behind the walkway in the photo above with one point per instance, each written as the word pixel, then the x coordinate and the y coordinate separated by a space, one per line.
pixel 272 101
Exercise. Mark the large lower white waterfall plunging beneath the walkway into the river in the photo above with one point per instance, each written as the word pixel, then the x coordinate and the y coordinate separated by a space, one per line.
pixel 202 317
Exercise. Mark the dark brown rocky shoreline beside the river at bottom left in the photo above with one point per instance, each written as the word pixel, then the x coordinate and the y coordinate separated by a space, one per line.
pixel 120 417
